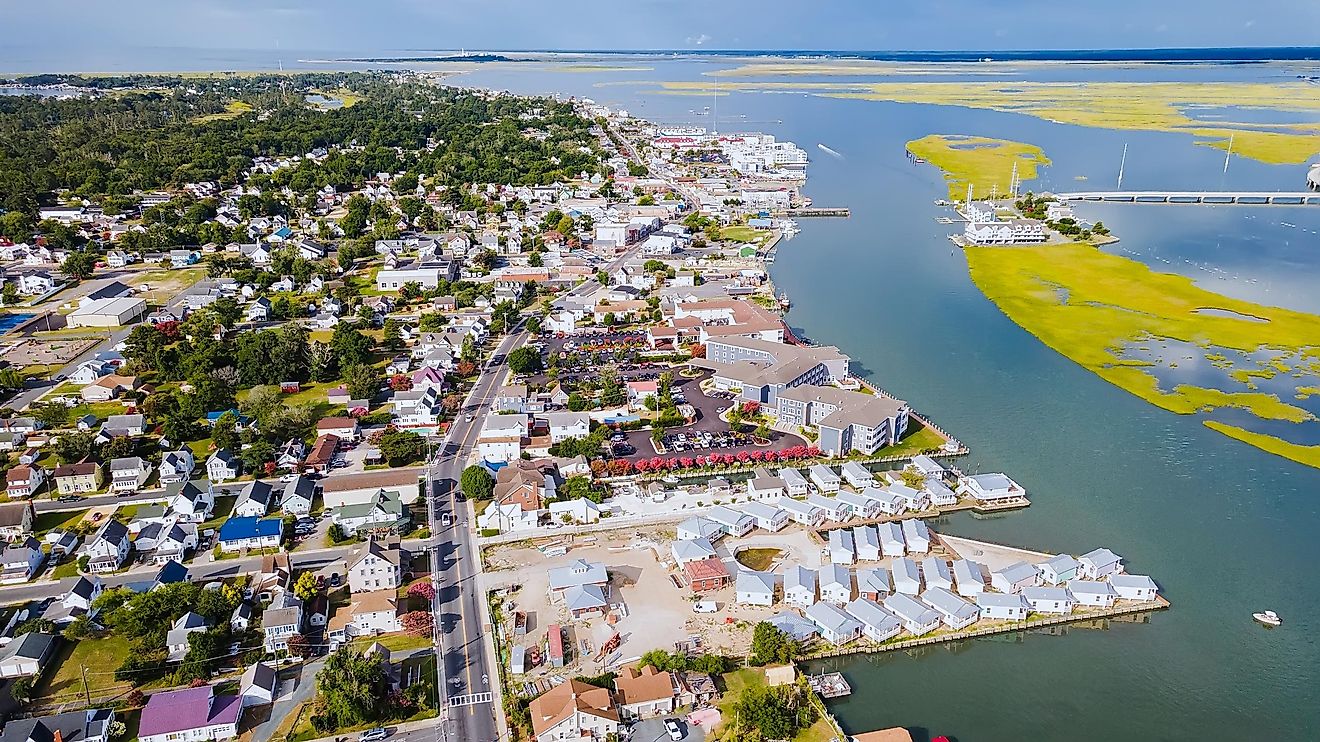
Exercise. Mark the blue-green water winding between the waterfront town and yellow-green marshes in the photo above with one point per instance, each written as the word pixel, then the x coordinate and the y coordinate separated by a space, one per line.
pixel 1224 529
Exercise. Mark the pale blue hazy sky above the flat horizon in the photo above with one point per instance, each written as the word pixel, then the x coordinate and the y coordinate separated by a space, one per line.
pixel 424 26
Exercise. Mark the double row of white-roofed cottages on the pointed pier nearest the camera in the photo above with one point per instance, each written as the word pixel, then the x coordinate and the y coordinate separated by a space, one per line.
pixel 922 597
